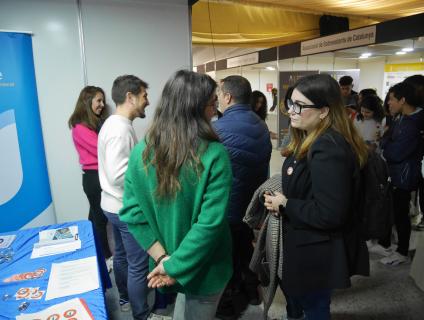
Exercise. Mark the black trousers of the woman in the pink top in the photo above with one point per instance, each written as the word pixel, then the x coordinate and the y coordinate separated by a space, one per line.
pixel 92 189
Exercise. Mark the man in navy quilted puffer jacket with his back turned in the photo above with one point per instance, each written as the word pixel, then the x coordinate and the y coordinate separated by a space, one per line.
pixel 246 137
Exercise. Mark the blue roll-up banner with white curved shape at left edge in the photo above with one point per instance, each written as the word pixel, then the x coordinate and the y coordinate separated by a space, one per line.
pixel 25 198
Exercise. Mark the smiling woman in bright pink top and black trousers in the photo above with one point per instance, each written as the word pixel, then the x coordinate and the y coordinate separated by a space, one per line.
pixel 85 123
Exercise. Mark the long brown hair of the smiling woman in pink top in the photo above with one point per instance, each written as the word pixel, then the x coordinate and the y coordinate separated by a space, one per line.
pixel 83 113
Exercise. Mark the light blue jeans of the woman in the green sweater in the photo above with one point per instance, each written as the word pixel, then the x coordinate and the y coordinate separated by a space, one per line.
pixel 193 307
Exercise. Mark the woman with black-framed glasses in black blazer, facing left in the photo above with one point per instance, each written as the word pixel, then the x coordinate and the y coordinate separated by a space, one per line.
pixel 321 247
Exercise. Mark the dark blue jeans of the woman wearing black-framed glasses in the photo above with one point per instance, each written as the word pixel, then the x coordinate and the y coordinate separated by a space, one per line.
pixel 314 306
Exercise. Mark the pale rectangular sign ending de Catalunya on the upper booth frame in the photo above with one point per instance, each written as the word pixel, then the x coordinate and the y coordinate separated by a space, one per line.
pixel 349 39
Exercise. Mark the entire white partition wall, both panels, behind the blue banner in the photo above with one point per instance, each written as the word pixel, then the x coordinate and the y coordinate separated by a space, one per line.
pixel 148 38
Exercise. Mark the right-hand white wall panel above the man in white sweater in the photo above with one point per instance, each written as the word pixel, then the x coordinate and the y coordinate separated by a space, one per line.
pixel 149 39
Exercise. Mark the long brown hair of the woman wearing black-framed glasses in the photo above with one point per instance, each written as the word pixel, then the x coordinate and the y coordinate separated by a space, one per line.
pixel 324 91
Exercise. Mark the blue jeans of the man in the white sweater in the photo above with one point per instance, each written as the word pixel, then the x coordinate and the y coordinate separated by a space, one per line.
pixel 131 267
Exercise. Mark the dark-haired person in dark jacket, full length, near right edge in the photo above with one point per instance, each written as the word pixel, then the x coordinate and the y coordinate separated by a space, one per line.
pixel 403 151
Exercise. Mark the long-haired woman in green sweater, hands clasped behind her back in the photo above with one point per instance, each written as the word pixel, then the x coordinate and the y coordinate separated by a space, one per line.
pixel 177 187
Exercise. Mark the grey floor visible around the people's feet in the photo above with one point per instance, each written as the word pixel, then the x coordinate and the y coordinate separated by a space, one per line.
pixel 388 294
